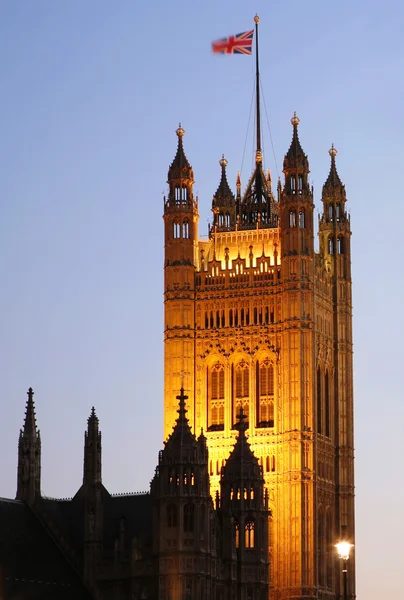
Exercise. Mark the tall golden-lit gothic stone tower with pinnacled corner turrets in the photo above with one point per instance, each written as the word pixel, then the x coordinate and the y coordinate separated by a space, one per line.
pixel 256 320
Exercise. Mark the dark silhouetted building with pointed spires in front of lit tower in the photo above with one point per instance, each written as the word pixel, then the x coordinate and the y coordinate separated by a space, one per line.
pixel 173 543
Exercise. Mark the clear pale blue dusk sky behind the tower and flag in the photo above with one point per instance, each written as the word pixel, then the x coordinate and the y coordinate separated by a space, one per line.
pixel 91 94
